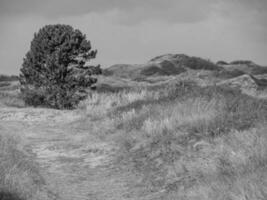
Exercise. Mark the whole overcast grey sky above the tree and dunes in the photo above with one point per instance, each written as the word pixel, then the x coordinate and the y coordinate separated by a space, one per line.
pixel 134 31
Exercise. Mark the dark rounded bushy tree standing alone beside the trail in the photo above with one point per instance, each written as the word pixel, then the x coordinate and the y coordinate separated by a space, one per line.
pixel 54 71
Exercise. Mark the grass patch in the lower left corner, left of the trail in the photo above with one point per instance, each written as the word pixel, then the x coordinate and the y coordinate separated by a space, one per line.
pixel 19 174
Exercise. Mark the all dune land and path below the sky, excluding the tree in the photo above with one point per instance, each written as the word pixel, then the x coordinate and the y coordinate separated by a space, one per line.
pixel 183 129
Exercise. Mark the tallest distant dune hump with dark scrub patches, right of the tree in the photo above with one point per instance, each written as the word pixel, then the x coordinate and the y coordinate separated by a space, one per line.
pixel 165 65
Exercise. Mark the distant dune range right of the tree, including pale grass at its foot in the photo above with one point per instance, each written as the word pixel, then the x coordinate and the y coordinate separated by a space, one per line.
pixel 247 76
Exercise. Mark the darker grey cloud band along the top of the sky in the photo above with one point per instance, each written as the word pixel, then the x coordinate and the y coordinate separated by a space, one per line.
pixel 136 11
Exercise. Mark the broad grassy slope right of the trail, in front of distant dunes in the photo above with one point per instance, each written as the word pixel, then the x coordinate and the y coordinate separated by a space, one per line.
pixel 188 142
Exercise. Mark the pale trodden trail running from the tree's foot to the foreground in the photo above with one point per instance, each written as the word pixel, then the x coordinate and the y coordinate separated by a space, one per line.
pixel 74 168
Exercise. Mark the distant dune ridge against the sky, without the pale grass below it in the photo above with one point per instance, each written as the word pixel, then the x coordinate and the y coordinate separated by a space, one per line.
pixel 176 64
